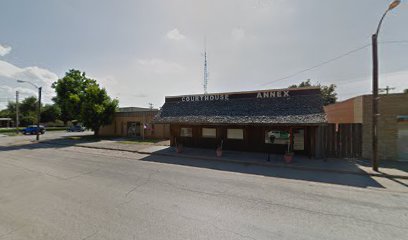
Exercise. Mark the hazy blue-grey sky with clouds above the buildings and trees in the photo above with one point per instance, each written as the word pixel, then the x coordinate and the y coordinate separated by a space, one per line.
pixel 142 51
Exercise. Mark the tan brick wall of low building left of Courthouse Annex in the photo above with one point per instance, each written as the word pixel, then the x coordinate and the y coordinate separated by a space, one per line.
pixel 119 125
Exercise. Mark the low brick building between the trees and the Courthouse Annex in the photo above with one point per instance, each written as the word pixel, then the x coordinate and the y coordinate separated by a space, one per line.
pixel 136 122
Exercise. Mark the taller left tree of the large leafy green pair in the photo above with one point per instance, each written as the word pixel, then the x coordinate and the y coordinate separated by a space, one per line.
pixel 69 92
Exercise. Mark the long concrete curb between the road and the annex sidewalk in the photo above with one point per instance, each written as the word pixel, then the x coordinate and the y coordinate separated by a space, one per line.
pixel 265 164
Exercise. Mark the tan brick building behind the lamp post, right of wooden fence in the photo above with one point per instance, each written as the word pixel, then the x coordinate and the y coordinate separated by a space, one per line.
pixel 392 123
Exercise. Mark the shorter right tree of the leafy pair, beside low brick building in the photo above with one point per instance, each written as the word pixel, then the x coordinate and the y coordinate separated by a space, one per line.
pixel 97 108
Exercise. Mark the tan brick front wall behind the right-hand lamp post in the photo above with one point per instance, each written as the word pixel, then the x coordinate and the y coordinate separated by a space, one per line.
pixel 390 106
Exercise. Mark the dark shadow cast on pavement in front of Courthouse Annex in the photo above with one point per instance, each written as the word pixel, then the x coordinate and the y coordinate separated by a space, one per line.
pixel 320 176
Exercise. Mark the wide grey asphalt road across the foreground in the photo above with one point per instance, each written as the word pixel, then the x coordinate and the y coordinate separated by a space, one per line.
pixel 55 192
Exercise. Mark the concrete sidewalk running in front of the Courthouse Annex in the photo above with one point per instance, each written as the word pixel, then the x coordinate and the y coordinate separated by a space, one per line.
pixel 347 166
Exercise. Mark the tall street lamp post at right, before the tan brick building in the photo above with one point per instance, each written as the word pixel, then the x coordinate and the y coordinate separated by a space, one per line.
pixel 375 98
